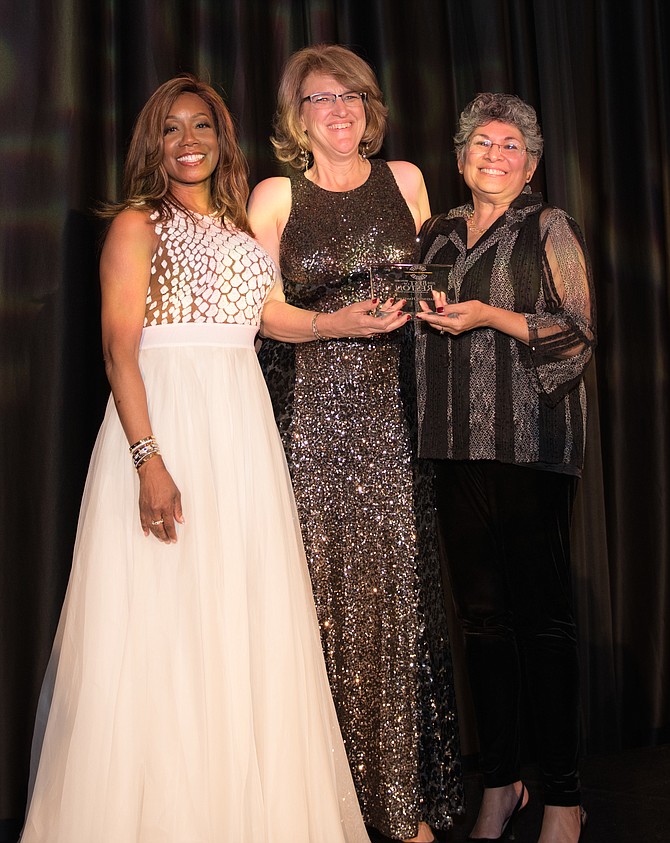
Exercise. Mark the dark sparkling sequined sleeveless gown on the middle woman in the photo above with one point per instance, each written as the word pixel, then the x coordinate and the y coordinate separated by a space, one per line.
pixel 347 413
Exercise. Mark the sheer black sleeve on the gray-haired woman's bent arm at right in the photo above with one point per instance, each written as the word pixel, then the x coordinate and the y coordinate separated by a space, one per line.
pixel 562 330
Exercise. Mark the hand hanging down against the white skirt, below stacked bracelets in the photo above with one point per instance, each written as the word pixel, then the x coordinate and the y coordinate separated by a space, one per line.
pixel 160 501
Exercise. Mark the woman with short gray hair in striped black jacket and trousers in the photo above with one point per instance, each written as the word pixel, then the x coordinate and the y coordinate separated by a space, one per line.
pixel 503 415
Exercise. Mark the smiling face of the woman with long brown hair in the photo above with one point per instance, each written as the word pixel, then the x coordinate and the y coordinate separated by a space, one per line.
pixel 190 143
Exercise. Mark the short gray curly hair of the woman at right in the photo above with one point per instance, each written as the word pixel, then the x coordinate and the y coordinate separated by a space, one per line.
pixel 508 108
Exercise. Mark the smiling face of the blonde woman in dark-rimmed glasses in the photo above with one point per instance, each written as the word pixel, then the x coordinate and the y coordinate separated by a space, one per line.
pixel 335 131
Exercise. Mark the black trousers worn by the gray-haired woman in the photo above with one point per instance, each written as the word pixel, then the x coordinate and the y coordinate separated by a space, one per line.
pixel 506 536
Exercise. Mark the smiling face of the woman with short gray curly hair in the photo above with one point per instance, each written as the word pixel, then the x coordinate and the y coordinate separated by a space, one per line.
pixel 496 174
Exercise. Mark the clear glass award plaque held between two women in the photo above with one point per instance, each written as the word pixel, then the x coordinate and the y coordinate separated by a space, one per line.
pixel 410 281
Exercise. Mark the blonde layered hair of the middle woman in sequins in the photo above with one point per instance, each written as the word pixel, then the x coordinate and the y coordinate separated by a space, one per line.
pixel 352 72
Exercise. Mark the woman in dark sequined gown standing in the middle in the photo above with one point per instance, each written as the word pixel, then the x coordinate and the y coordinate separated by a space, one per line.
pixel 342 387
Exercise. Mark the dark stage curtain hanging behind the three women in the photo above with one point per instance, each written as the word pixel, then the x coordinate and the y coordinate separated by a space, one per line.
pixel 74 73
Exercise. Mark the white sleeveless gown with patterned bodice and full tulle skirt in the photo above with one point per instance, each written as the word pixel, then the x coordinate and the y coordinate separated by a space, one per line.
pixel 186 700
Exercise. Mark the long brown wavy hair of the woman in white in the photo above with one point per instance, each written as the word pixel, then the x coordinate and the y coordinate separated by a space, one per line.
pixel 145 181
